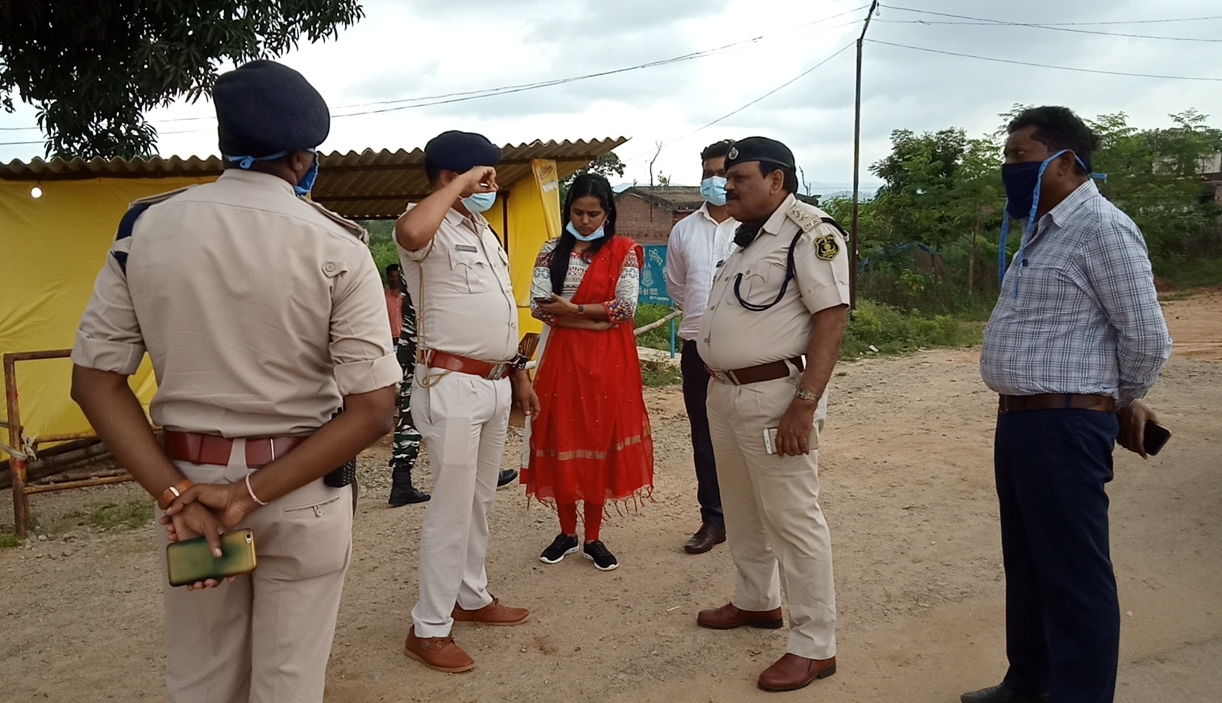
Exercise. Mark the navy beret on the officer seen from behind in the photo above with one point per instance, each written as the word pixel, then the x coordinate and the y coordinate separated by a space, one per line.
pixel 265 108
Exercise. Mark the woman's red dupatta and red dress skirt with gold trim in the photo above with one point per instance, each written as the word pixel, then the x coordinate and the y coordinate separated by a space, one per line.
pixel 592 440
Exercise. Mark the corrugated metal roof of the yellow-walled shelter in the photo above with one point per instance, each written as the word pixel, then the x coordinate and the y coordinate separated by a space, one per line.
pixel 366 185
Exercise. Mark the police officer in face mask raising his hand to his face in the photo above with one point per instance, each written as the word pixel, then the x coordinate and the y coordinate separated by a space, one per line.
pixel 467 328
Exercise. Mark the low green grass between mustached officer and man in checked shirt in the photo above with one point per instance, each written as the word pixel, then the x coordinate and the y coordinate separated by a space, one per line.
pixel 889 331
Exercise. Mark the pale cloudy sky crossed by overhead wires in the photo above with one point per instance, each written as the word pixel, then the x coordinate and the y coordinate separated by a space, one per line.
pixel 392 81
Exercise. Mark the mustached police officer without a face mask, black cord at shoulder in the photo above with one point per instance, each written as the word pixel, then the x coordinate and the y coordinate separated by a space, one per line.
pixel 772 337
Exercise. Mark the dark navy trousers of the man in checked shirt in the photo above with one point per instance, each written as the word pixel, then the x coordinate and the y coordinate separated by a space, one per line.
pixel 1063 613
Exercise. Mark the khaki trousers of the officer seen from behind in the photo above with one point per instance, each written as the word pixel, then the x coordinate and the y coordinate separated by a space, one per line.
pixel 267 636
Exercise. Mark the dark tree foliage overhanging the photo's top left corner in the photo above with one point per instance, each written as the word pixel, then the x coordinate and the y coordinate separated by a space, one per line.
pixel 93 68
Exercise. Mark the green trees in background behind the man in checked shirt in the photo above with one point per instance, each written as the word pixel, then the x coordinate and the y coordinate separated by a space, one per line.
pixel 944 190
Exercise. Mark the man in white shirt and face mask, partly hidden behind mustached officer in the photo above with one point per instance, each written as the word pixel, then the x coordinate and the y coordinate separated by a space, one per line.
pixel 700 243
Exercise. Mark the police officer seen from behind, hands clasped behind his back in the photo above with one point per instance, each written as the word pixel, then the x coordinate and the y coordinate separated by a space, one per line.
pixel 250 380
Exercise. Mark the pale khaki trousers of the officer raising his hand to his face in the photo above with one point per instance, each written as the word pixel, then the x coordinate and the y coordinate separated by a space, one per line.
pixel 465 420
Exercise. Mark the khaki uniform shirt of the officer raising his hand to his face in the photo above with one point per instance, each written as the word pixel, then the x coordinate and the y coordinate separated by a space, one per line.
pixel 460 284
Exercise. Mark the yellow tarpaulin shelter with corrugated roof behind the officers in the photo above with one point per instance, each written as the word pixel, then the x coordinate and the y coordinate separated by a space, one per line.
pixel 54 245
